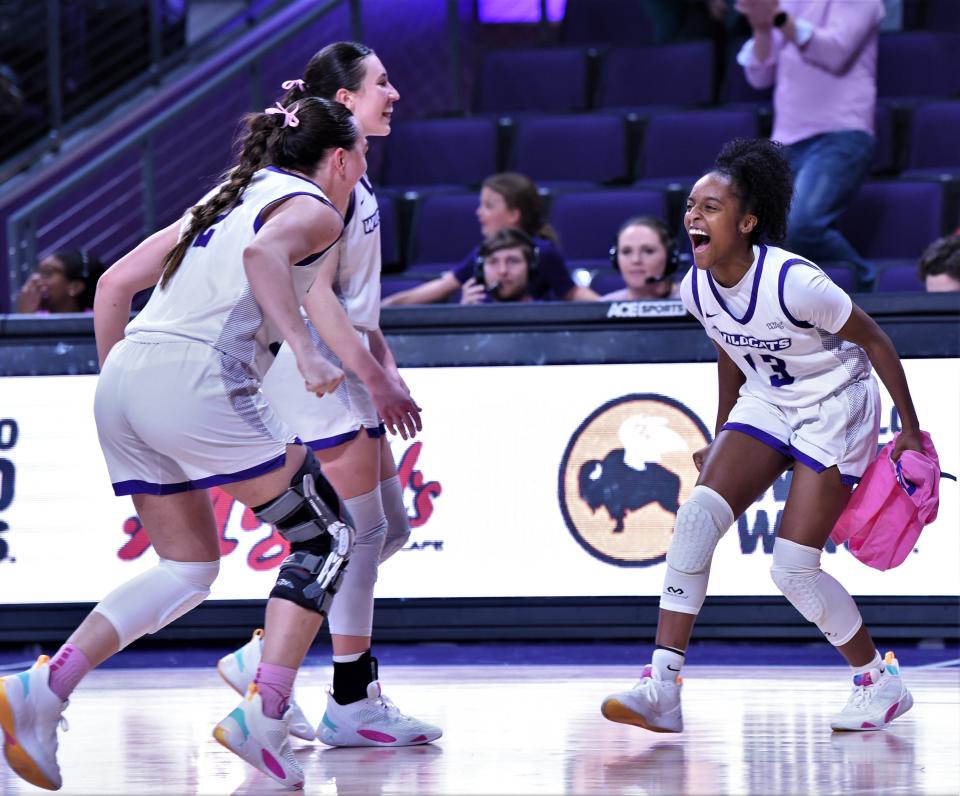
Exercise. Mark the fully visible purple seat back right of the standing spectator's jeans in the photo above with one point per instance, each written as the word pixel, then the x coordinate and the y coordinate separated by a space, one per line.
pixel 894 219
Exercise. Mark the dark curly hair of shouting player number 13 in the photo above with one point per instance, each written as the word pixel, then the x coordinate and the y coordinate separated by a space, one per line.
pixel 762 180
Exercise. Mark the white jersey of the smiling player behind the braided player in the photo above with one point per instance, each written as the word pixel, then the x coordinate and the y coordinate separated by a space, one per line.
pixel 357 282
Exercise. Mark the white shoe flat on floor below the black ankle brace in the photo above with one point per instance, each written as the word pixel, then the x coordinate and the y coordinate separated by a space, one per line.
pixel 374 721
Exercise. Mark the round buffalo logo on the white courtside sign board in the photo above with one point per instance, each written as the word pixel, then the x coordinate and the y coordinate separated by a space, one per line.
pixel 624 474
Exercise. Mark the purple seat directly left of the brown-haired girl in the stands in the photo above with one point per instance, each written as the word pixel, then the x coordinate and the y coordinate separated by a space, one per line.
pixel 444 228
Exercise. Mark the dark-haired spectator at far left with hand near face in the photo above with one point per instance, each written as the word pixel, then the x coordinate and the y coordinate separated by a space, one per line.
pixel 64 281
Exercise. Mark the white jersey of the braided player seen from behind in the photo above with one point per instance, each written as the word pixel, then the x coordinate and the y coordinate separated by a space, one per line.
pixel 209 299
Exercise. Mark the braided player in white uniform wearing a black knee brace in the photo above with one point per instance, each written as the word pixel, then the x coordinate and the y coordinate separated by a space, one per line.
pixel 178 409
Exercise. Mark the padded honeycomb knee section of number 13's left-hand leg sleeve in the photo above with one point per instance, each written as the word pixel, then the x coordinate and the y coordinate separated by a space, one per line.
pixel 701 522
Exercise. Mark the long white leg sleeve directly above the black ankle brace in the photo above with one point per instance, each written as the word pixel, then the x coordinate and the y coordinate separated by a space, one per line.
pixel 352 611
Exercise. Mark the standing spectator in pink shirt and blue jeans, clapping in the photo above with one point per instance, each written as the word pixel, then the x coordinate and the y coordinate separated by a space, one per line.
pixel 822 56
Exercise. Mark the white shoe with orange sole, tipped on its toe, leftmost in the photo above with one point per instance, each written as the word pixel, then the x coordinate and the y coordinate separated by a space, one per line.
pixel 30 713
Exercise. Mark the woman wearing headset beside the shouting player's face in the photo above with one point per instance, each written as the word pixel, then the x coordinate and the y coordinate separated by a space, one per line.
pixel 647 257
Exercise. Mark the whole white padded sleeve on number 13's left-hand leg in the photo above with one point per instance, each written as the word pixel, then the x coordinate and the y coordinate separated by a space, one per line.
pixel 701 521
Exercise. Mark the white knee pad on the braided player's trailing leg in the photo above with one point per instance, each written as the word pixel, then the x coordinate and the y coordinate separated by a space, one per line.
pixel 157 597
